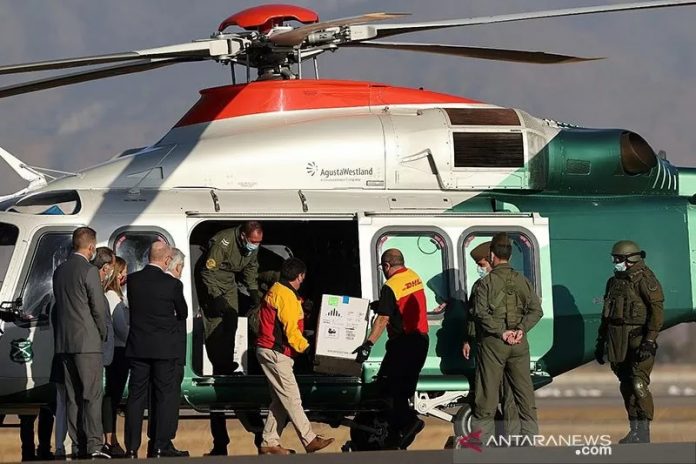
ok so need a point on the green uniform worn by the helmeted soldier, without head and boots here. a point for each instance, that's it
(633, 310)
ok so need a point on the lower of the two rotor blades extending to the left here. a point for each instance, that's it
(90, 75)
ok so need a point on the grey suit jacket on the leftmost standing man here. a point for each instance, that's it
(80, 307)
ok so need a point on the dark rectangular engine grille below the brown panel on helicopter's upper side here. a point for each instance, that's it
(488, 150)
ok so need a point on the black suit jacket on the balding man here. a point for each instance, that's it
(157, 307)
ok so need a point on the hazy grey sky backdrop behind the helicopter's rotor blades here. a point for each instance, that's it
(646, 84)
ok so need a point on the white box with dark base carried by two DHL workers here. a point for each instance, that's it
(342, 328)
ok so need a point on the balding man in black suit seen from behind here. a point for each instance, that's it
(157, 306)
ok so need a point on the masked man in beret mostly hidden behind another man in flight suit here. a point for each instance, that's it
(511, 418)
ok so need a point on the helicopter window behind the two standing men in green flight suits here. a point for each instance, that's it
(523, 257)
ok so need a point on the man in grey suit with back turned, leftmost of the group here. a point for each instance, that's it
(79, 333)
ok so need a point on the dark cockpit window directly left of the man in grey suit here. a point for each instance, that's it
(51, 251)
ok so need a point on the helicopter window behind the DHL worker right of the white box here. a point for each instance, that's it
(426, 253)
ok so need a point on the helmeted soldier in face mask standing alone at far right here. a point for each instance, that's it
(631, 319)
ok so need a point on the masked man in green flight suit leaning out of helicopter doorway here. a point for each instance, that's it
(232, 253)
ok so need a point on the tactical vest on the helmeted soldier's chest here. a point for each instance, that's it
(623, 304)
